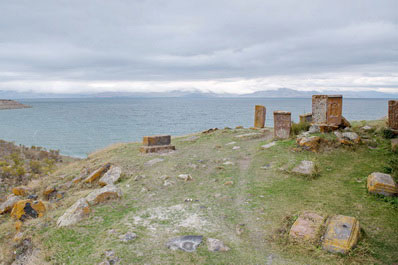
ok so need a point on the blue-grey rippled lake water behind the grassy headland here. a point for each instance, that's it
(78, 127)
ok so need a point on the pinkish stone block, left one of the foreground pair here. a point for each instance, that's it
(307, 227)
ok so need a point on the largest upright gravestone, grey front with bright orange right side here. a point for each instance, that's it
(327, 110)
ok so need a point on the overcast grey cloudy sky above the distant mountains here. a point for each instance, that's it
(80, 46)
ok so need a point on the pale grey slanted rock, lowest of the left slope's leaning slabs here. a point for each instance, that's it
(74, 214)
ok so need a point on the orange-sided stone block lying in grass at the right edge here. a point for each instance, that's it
(380, 183)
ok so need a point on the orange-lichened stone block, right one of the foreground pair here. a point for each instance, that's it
(342, 234)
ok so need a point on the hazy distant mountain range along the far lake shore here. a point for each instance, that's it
(279, 93)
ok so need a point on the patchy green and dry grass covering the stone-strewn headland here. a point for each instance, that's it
(266, 201)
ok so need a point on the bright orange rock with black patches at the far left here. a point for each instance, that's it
(28, 209)
